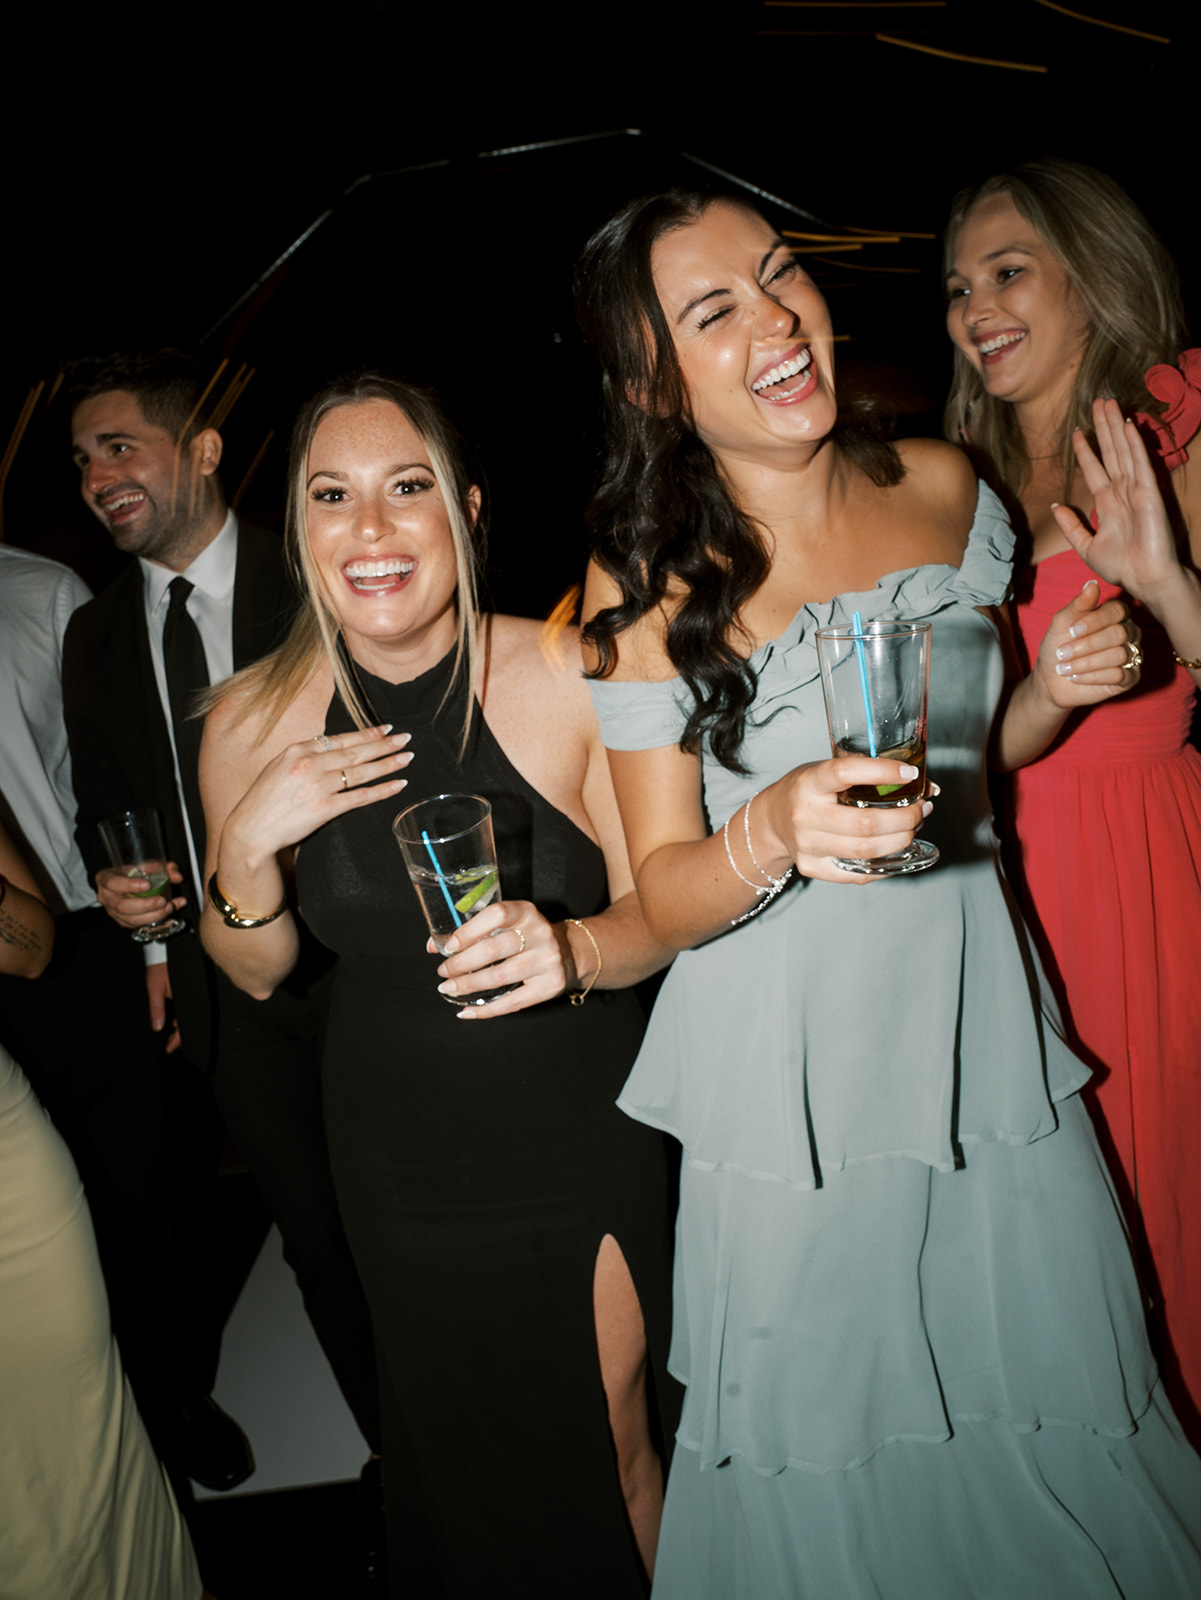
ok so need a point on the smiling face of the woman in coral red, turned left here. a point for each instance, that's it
(1011, 308)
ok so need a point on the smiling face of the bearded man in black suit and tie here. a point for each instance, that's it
(158, 500)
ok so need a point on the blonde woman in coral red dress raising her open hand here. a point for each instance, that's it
(1059, 292)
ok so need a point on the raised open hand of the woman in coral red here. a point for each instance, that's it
(1133, 545)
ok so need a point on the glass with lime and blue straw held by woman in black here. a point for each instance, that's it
(452, 862)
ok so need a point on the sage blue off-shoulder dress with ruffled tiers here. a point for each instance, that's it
(904, 1305)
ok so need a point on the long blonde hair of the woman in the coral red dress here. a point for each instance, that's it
(1127, 282)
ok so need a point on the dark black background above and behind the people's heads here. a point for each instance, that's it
(300, 193)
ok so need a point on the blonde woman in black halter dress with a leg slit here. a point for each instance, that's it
(508, 1222)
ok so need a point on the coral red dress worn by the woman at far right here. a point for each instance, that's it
(1109, 826)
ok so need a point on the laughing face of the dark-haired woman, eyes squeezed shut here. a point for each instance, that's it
(752, 337)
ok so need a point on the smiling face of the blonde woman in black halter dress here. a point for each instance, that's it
(380, 538)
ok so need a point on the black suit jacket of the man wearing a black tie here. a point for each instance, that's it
(121, 748)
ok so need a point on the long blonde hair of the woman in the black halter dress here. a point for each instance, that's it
(271, 686)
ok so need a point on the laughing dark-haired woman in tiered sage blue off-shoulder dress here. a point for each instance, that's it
(914, 1343)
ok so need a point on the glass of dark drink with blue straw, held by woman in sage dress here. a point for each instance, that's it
(876, 679)
